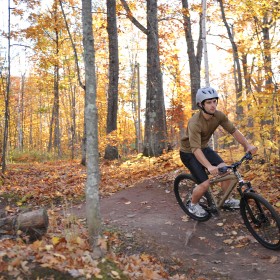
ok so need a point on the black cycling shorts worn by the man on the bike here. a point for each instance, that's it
(196, 168)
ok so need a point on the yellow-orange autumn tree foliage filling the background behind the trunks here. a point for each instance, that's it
(50, 108)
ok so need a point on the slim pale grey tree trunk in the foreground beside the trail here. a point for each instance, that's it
(93, 173)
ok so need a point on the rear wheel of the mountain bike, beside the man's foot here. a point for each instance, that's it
(183, 187)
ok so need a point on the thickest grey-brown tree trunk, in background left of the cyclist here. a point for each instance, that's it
(155, 139)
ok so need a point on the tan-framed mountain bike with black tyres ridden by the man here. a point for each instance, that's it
(259, 216)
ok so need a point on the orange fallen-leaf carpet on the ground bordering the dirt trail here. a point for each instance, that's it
(65, 248)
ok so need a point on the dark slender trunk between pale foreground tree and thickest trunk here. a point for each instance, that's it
(111, 151)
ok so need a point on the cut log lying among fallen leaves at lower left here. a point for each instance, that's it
(33, 224)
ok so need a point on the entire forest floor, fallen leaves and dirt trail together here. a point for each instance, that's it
(150, 235)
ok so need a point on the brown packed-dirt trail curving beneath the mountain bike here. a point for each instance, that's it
(217, 249)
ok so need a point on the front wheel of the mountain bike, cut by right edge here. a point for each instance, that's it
(261, 220)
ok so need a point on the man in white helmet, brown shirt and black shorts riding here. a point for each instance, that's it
(195, 152)
